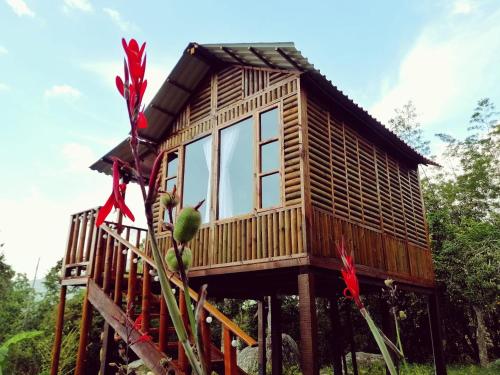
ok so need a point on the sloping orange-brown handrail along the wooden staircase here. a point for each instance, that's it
(224, 320)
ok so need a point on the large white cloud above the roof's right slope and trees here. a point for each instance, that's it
(446, 71)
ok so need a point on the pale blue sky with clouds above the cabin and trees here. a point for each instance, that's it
(60, 110)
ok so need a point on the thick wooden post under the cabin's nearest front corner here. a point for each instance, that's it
(308, 324)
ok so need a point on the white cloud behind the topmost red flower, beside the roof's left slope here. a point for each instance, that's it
(108, 70)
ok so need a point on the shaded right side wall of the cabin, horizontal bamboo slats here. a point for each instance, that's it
(360, 192)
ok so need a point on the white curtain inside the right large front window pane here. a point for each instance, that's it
(229, 138)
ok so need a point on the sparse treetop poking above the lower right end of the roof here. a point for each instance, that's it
(406, 125)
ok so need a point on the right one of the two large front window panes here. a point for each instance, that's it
(236, 169)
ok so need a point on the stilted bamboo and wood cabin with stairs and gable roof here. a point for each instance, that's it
(288, 167)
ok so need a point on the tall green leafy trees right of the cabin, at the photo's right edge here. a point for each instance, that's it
(463, 214)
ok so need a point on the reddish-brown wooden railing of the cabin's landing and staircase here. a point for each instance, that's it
(116, 258)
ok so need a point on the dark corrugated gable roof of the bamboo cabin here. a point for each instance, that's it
(199, 59)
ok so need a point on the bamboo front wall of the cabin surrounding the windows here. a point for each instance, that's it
(226, 97)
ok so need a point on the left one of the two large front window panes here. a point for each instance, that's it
(197, 172)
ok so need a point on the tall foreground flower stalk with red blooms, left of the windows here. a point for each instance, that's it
(132, 89)
